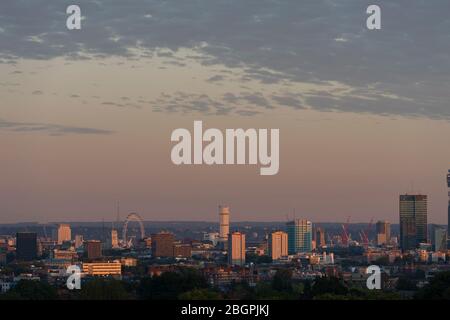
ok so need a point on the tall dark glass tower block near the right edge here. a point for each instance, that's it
(413, 221)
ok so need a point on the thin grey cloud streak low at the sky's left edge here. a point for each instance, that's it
(50, 129)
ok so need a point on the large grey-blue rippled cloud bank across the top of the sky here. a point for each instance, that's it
(273, 42)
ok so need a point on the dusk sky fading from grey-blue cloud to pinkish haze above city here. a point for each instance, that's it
(86, 115)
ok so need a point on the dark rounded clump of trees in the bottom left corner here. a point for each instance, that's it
(31, 290)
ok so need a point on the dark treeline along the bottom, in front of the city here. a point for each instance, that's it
(189, 284)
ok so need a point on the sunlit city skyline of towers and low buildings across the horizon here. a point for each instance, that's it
(300, 252)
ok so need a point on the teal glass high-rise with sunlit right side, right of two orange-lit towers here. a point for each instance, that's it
(299, 236)
